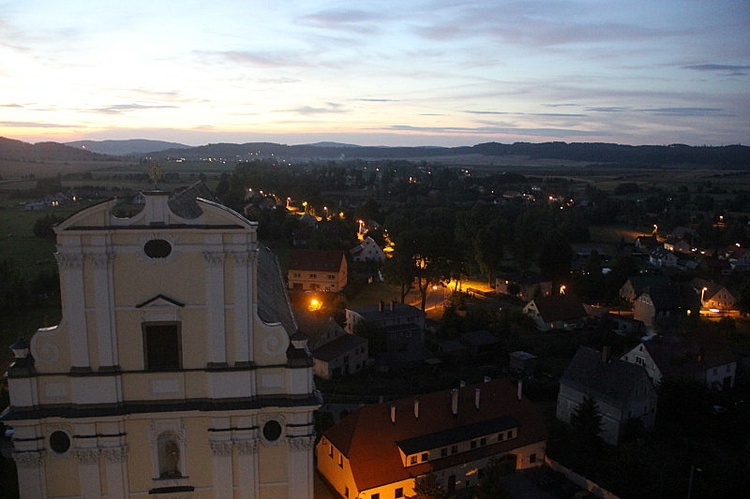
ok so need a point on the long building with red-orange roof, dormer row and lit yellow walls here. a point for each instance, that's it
(379, 450)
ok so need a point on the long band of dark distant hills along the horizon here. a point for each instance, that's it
(733, 156)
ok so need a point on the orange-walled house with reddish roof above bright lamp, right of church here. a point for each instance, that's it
(317, 270)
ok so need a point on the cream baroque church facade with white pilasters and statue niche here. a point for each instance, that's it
(175, 370)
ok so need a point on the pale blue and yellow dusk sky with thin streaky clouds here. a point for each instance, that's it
(422, 72)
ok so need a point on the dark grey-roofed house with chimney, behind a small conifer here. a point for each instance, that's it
(622, 391)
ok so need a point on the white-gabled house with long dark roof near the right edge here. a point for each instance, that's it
(706, 358)
